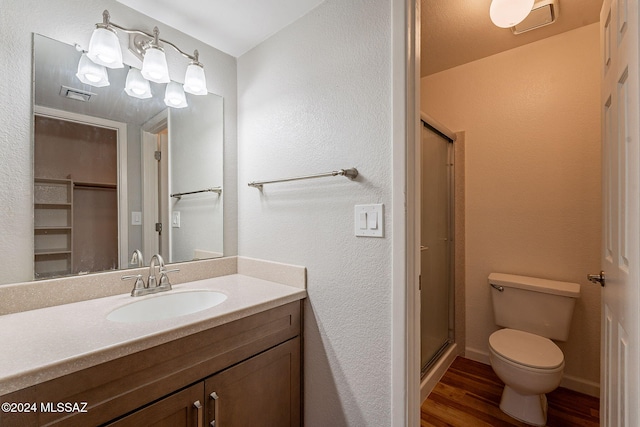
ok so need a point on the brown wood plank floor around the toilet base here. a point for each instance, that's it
(469, 395)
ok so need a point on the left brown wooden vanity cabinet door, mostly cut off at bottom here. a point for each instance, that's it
(181, 409)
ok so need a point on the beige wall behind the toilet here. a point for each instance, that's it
(532, 122)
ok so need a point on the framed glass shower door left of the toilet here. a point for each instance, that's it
(436, 250)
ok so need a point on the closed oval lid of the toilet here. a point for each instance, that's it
(526, 349)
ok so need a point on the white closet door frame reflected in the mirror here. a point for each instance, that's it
(122, 167)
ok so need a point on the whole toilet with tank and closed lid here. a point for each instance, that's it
(532, 312)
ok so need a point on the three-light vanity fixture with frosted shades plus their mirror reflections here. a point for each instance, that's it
(105, 51)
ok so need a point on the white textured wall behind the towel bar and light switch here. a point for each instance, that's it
(316, 97)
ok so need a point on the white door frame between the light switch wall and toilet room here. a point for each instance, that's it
(405, 224)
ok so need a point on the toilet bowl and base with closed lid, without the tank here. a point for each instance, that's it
(530, 366)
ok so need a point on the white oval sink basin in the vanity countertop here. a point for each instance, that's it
(166, 305)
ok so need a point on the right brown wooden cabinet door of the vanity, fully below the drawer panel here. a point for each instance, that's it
(261, 391)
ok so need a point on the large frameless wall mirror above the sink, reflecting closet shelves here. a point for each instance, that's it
(115, 174)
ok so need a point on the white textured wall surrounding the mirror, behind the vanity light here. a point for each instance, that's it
(73, 21)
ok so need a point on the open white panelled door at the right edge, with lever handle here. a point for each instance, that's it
(620, 256)
